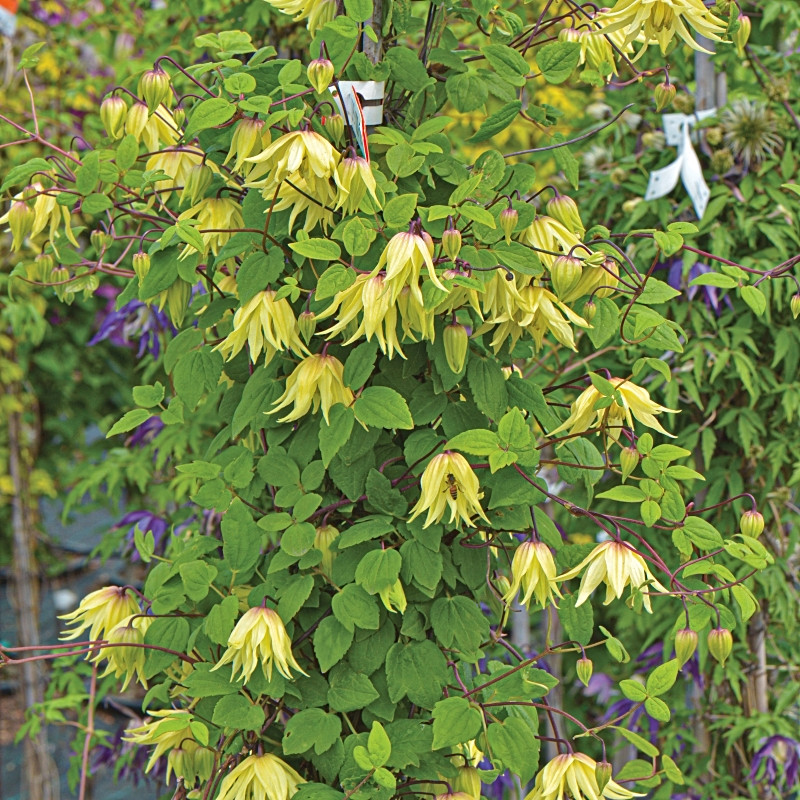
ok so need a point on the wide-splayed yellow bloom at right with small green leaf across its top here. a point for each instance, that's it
(630, 401)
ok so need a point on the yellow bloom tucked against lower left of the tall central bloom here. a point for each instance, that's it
(369, 297)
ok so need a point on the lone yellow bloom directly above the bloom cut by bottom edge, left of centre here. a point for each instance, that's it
(259, 636)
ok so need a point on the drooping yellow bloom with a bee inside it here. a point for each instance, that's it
(449, 482)
